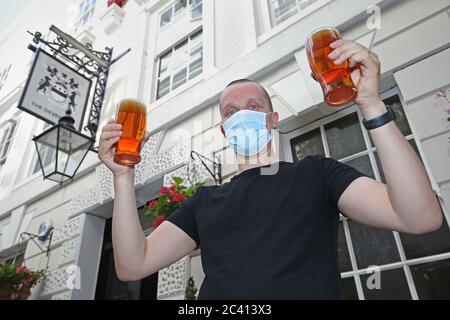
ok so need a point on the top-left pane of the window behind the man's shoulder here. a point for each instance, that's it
(307, 144)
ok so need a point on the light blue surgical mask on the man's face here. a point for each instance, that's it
(247, 133)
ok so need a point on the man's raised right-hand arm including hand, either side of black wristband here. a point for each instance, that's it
(406, 202)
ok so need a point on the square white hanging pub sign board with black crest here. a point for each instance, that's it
(53, 88)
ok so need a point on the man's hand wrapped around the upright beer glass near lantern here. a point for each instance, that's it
(111, 133)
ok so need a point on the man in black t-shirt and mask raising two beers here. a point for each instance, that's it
(275, 236)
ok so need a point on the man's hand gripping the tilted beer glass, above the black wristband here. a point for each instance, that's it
(365, 71)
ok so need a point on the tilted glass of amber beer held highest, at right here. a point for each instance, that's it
(337, 85)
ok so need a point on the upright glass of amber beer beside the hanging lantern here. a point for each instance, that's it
(132, 115)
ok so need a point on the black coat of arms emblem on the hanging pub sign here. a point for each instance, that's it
(59, 87)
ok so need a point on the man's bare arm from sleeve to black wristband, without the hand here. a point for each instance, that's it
(406, 202)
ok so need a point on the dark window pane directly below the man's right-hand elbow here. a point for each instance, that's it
(436, 242)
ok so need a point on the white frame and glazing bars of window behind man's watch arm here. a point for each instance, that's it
(404, 262)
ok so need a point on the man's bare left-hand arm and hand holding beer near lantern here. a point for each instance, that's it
(135, 255)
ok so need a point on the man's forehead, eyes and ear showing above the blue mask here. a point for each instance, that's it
(246, 96)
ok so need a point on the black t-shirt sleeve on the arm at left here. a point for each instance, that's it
(184, 218)
